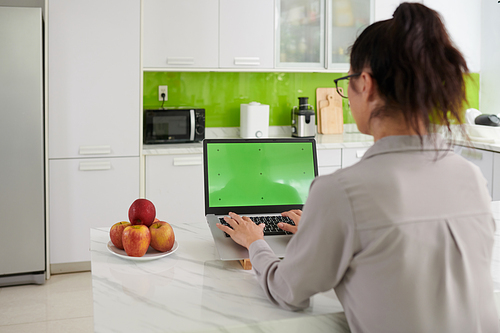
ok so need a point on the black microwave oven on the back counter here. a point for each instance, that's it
(174, 125)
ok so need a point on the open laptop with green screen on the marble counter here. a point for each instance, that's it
(255, 178)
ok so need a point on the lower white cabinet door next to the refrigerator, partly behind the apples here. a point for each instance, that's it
(87, 193)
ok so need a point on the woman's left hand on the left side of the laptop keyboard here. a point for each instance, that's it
(244, 231)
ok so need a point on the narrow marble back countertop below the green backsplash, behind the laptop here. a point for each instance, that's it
(331, 141)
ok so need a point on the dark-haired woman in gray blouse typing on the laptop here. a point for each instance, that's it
(405, 236)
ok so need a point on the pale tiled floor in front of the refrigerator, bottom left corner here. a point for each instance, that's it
(62, 304)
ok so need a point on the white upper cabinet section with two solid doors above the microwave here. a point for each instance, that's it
(208, 34)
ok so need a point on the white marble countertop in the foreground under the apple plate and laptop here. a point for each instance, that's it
(191, 291)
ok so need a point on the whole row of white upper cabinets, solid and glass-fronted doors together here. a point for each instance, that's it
(252, 34)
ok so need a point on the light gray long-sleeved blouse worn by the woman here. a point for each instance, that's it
(404, 236)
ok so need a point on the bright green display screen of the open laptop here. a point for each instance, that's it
(259, 173)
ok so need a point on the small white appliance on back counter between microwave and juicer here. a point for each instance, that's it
(254, 120)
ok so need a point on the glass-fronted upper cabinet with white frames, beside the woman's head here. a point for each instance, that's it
(308, 28)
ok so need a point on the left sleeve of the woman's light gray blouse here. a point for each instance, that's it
(317, 256)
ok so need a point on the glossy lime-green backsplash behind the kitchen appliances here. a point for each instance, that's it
(221, 93)
